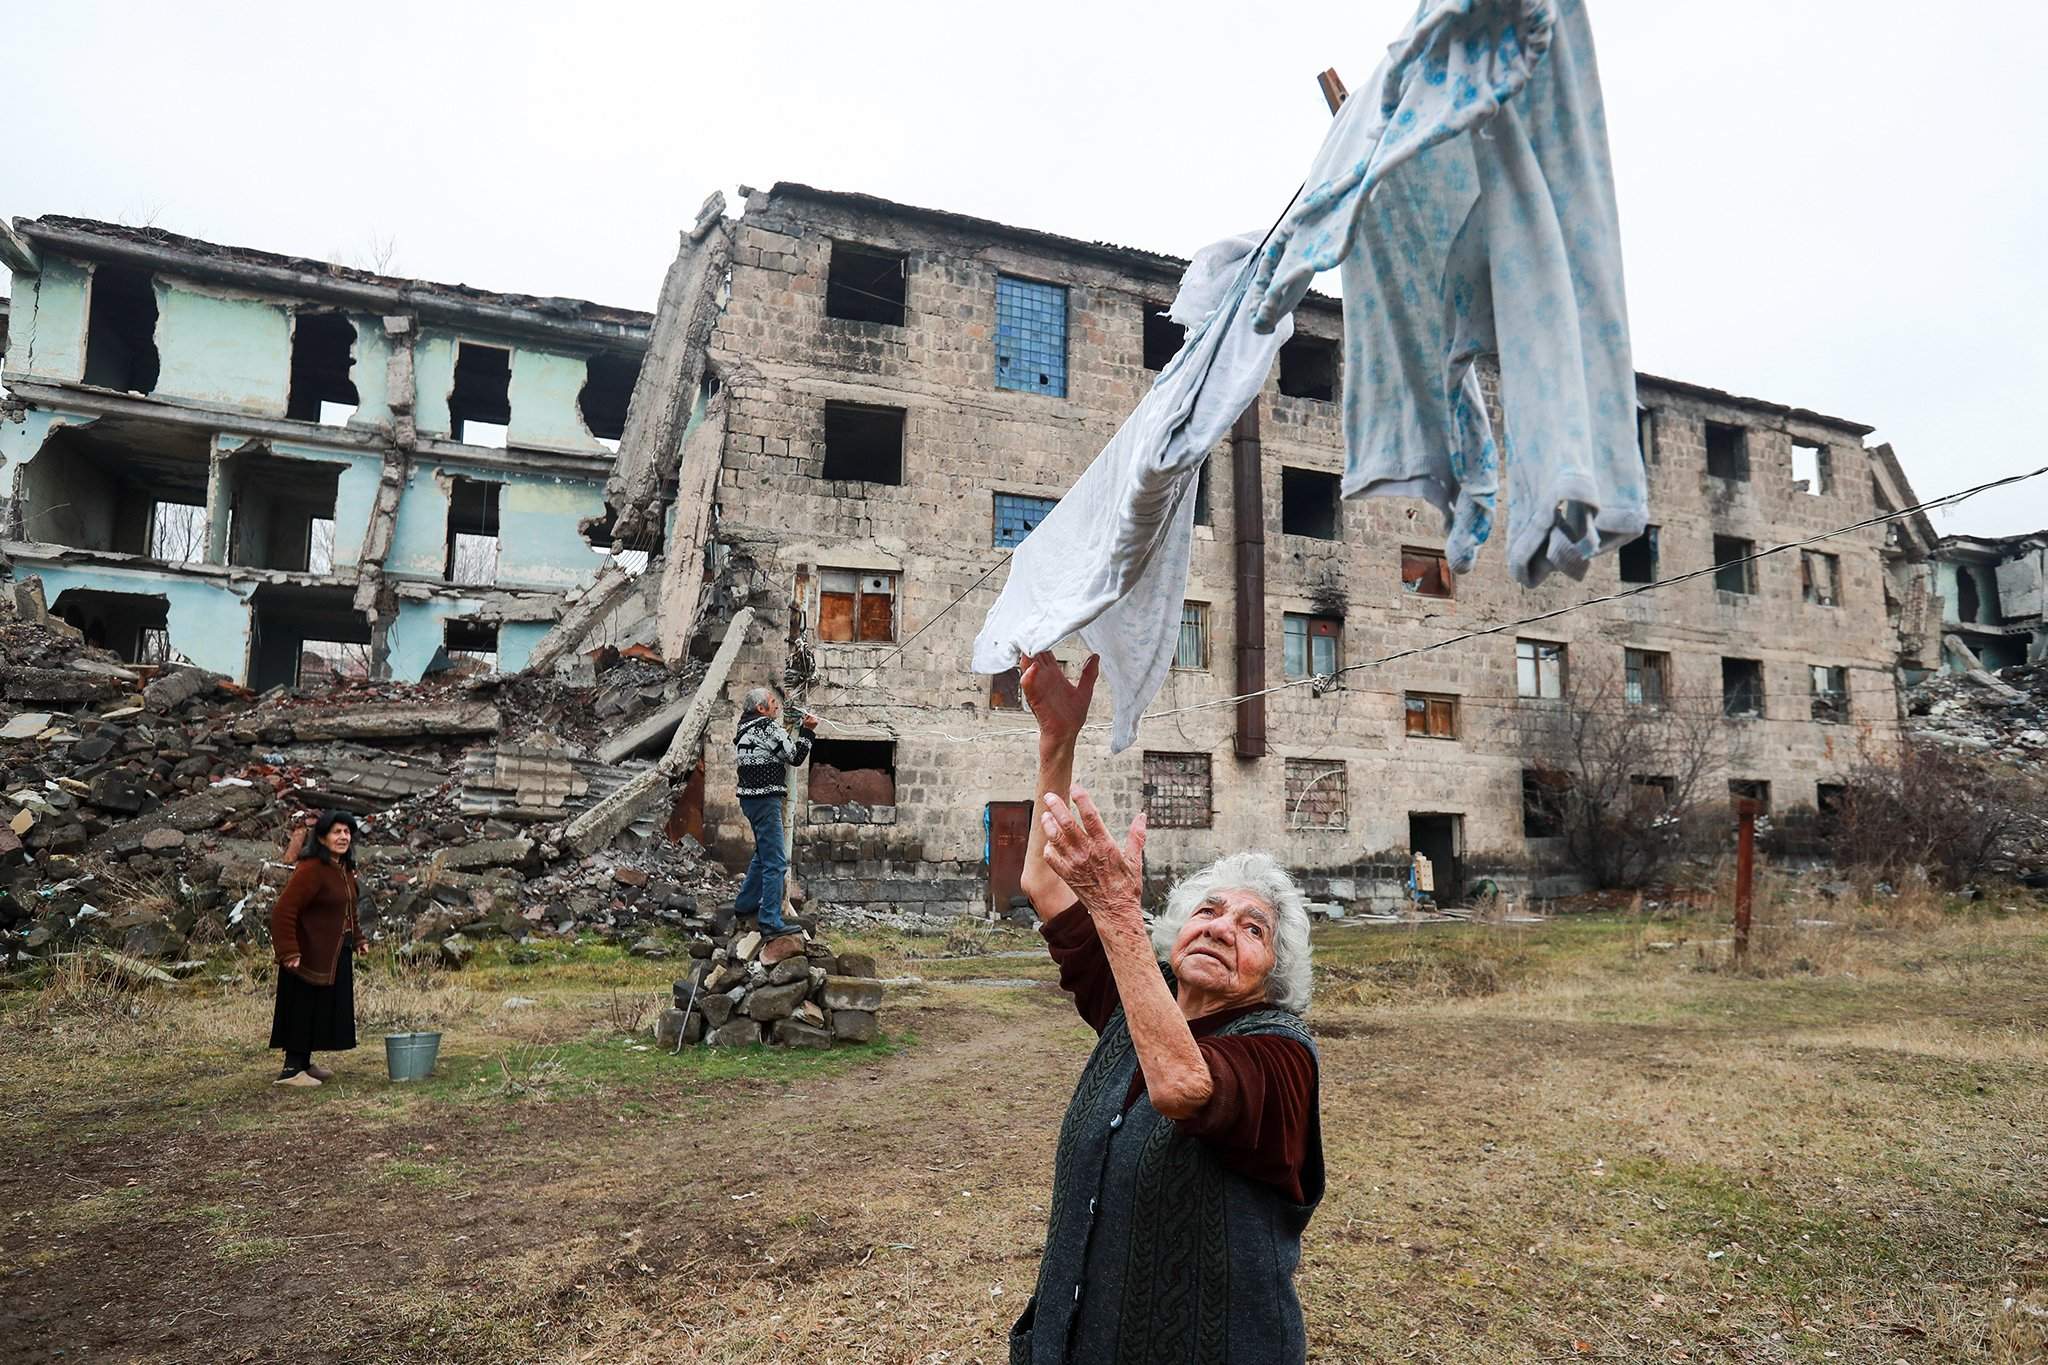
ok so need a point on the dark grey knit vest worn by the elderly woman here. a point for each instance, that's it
(1154, 1249)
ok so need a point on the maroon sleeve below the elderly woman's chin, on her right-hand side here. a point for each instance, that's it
(1261, 1106)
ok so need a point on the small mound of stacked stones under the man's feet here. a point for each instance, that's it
(730, 998)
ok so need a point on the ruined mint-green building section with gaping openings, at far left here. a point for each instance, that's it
(267, 464)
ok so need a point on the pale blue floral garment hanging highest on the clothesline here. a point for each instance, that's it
(1467, 197)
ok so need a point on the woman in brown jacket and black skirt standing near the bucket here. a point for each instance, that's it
(314, 934)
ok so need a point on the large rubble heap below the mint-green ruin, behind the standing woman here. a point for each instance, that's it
(146, 809)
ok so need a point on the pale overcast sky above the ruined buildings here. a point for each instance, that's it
(1828, 204)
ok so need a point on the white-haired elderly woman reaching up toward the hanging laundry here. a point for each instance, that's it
(1193, 1151)
